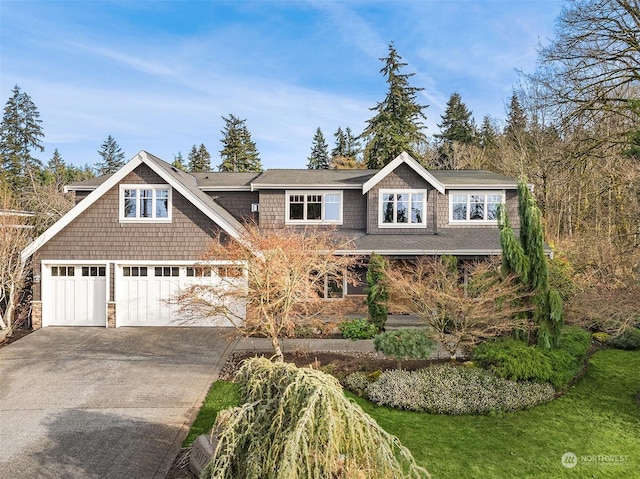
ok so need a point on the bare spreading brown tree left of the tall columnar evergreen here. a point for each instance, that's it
(458, 313)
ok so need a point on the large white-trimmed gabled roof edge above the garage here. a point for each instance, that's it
(182, 182)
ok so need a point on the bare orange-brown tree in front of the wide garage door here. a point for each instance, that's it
(287, 272)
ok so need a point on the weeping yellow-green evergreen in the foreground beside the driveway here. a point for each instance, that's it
(297, 424)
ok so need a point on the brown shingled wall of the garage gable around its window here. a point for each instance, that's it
(98, 235)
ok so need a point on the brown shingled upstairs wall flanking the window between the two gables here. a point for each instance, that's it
(273, 209)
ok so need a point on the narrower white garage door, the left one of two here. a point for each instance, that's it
(74, 295)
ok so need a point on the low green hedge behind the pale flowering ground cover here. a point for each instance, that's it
(515, 360)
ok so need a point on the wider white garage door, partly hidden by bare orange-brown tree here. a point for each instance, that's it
(145, 295)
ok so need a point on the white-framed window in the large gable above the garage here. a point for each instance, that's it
(145, 203)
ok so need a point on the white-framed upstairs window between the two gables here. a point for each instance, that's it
(314, 207)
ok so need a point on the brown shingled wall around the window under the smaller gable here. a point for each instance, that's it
(402, 177)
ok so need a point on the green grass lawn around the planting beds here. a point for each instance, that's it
(598, 416)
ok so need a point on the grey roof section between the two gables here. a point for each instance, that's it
(317, 179)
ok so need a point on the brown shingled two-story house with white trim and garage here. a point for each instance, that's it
(134, 238)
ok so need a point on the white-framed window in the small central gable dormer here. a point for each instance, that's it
(402, 208)
